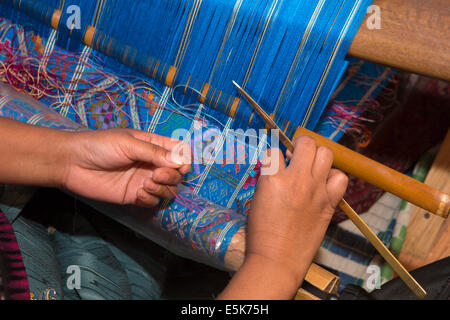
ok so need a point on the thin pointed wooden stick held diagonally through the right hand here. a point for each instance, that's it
(353, 216)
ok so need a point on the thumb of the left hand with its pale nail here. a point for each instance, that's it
(142, 151)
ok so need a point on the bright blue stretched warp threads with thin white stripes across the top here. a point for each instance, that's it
(289, 54)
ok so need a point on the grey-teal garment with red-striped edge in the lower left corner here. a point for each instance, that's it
(48, 255)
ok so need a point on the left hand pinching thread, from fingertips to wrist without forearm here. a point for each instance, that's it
(125, 166)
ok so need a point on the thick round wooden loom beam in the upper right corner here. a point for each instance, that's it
(414, 37)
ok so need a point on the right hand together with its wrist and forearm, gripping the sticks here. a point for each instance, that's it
(288, 218)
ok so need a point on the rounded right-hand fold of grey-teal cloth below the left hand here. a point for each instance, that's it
(106, 273)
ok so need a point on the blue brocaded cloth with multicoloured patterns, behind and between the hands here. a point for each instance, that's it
(227, 184)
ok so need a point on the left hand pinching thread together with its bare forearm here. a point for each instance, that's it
(119, 166)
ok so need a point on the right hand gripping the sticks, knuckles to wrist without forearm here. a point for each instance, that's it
(292, 209)
